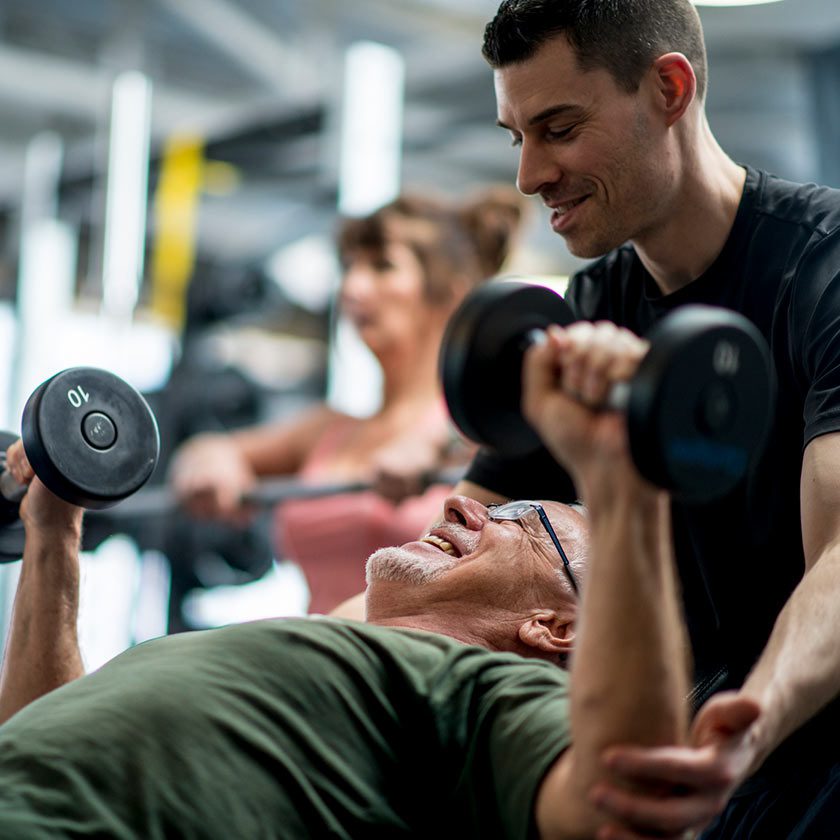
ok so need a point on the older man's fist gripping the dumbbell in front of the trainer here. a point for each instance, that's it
(566, 381)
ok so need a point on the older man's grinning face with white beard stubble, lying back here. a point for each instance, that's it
(473, 564)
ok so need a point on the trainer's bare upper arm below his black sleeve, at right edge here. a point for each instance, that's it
(820, 496)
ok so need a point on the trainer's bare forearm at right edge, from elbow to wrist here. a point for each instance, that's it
(799, 670)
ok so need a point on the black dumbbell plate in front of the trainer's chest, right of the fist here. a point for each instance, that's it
(701, 402)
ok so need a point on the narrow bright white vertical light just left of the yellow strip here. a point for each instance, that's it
(126, 200)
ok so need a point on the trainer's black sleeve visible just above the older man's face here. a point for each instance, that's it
(533, 476)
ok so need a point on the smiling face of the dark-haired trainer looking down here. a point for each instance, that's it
(589, 149)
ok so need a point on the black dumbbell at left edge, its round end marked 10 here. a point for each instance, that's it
(91, 439)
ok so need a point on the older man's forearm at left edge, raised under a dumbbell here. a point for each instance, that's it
(42, 649)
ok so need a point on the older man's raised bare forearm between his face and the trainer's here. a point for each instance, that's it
(630, 669)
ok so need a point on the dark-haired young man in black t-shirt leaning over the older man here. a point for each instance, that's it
(606, 103)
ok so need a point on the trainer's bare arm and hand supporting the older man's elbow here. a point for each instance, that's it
(796, 675)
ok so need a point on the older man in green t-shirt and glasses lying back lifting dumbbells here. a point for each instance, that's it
(447, 712)
